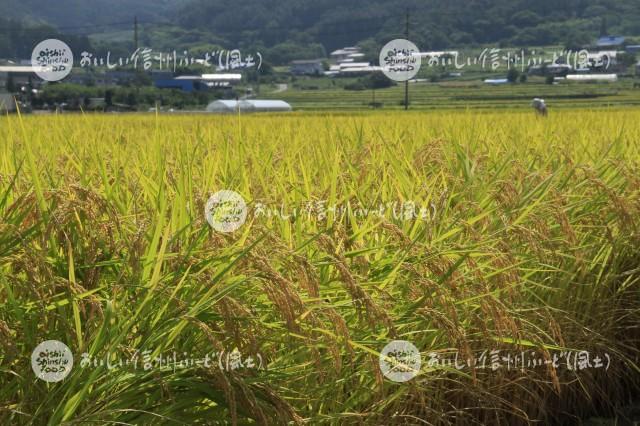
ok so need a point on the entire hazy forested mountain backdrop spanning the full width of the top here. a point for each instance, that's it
(304, 29)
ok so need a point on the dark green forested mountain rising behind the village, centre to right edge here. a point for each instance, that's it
(434, 24)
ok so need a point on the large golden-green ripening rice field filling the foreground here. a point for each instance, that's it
(503, 246)
